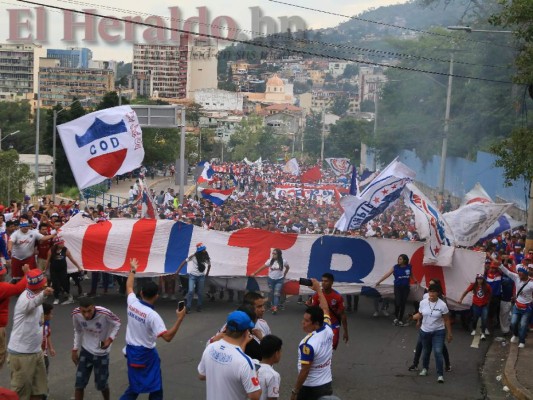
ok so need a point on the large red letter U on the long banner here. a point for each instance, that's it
(95, 240)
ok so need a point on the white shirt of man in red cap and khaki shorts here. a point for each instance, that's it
(28, 320)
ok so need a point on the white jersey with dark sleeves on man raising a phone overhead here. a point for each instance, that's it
(317, 349)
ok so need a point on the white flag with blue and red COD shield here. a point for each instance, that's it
(102, 144)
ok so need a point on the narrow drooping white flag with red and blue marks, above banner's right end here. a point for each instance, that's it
(430, 225)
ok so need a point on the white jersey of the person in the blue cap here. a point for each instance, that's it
(230, 374)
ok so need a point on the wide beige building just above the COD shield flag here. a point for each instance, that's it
(62, 85)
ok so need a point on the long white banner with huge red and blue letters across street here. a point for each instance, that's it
(161, 245)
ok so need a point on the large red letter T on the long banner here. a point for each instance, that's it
(260, 243)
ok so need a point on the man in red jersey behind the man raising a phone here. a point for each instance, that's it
(336, 308)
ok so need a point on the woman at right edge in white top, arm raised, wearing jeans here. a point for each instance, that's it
(523, 306)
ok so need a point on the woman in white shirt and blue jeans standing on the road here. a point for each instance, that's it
(436, 326)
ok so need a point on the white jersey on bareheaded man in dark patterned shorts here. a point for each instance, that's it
(89, 333)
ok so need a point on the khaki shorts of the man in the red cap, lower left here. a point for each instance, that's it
(28, 374)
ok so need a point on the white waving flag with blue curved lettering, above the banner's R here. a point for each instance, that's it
(376, 197)
